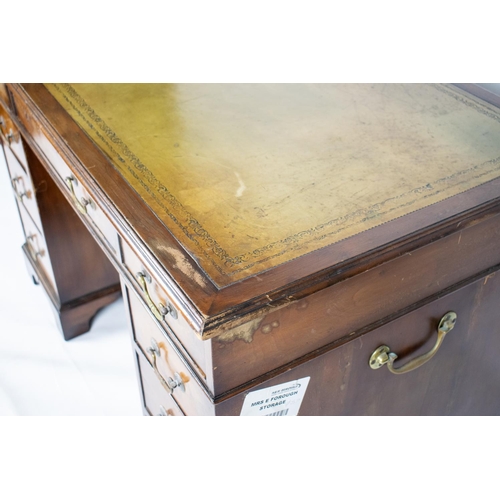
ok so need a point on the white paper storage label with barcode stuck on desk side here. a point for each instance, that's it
(282, 400)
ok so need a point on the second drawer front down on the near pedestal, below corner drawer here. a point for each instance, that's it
(171, 369)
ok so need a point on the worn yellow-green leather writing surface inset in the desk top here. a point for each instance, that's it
(249, 176)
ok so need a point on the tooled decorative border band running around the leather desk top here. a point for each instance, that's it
(288, 243)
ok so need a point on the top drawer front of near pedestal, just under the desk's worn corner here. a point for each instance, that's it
(196, 350)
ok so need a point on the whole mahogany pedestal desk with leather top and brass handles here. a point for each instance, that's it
(281, 249)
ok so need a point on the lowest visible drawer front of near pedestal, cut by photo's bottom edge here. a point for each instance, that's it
(156, 400)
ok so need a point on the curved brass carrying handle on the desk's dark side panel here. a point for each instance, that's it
(383, 355)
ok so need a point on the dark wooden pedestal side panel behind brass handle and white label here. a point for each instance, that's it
(462, 378)
